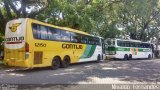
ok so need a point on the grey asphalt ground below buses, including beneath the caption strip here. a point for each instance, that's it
(83, 76)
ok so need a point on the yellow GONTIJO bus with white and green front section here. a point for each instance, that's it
(31, 43)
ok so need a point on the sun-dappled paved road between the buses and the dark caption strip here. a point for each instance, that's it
(112, 72)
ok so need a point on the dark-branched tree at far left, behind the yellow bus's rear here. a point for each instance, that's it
(11, 9)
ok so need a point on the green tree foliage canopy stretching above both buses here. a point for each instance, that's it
(139, 19)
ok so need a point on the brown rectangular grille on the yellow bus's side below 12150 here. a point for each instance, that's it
(38, 57)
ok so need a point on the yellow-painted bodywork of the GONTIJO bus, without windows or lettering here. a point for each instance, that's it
(52, 49)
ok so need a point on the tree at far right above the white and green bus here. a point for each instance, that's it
(138, 17)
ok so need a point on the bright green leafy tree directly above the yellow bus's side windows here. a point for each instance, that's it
(92, 16)
